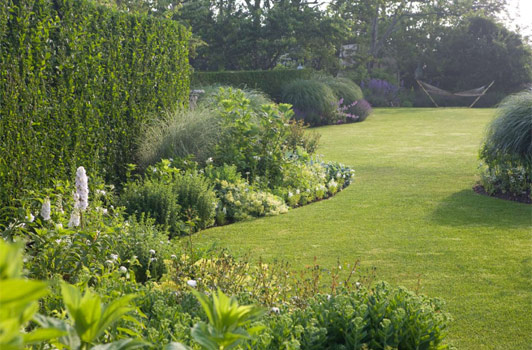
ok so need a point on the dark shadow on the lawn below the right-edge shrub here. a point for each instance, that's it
(467, 208)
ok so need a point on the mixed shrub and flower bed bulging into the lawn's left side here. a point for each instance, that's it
(256, 160)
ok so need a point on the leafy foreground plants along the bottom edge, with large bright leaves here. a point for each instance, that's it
(130, 315)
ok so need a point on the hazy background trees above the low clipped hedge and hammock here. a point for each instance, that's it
(458, 44)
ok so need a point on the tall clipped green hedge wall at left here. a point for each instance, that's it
(76, 79)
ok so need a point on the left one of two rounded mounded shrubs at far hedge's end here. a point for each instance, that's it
(312, 101)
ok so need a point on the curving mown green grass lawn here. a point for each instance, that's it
(411, 213)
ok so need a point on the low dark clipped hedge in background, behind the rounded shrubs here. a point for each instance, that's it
(268, 81)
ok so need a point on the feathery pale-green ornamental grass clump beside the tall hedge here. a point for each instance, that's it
(179, 134)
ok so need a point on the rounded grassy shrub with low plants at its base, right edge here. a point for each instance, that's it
(507, 148)
